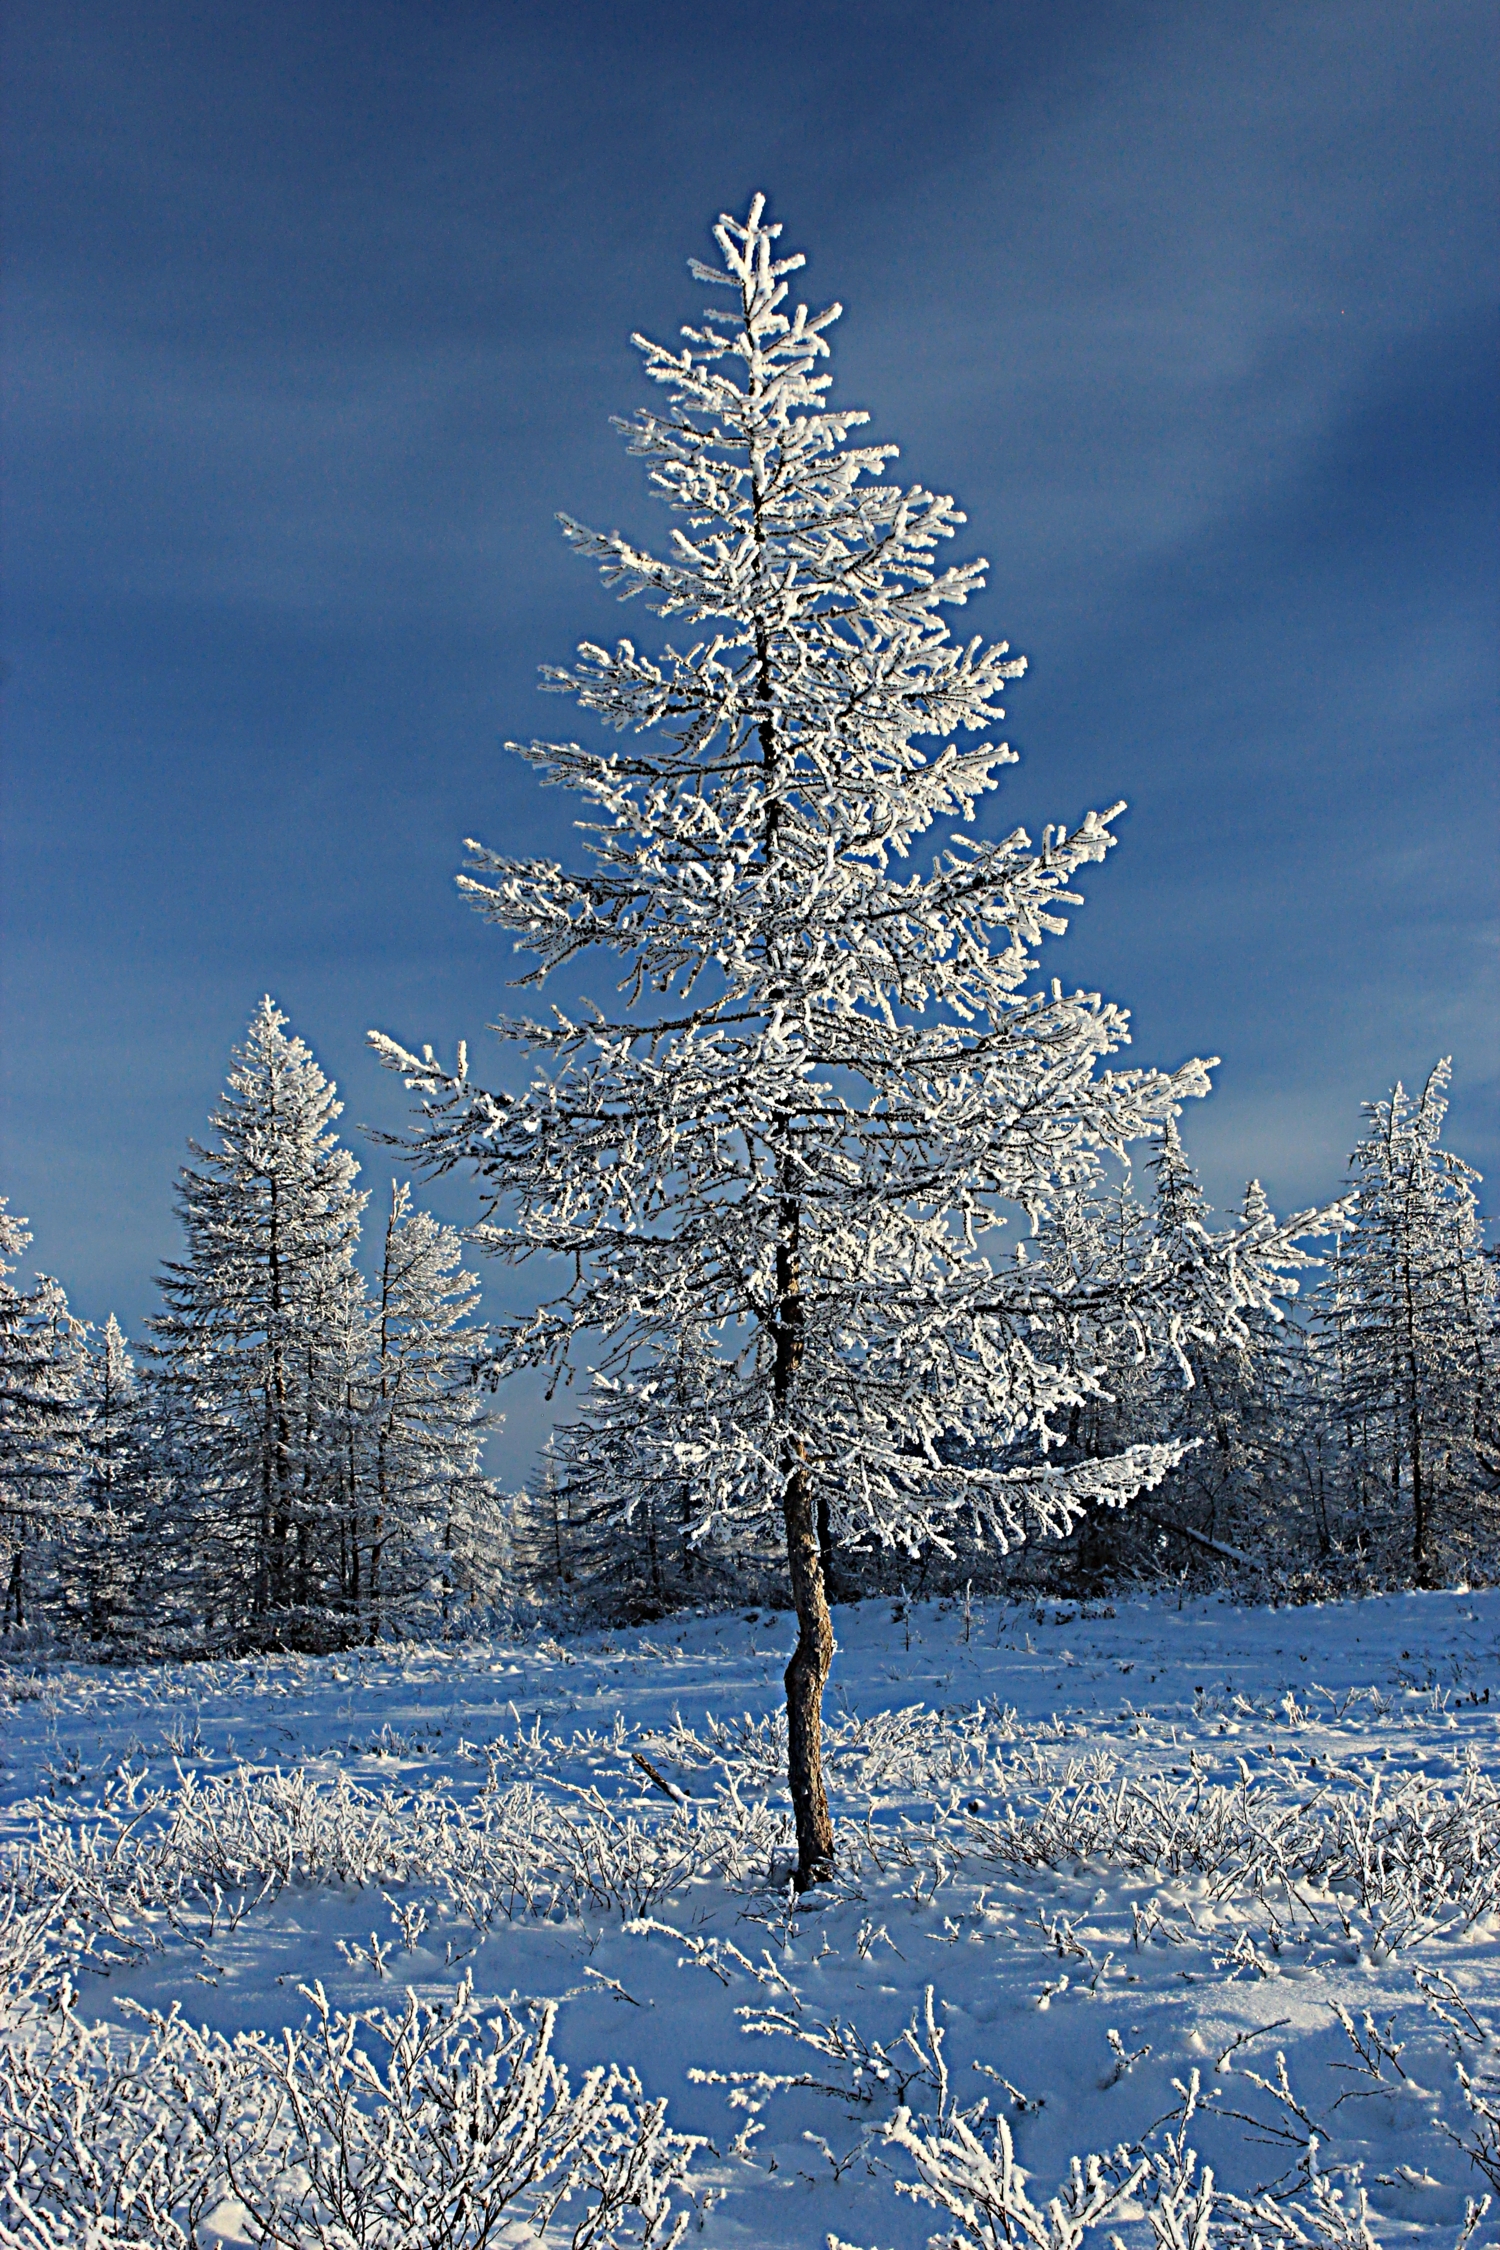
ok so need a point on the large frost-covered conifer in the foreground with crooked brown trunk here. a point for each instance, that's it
(833, 1079)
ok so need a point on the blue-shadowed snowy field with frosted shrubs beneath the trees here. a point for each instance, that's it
(1114, 1848)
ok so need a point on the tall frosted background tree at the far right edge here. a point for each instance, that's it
(1409, 1326)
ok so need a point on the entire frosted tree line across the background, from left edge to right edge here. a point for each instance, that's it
(296, 1455)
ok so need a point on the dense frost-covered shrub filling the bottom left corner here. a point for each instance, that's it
(354, 2134)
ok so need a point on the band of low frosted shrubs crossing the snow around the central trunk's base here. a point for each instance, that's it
(1404, 1857)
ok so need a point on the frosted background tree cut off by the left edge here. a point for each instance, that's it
(39, 1421)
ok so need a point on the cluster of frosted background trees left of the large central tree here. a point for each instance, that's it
(296, 1455)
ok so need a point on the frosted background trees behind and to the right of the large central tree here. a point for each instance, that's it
(1346, 1443)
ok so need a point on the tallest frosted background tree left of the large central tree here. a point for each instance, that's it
(253, 1342)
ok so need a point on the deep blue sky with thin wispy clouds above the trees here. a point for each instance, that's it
(318, 316)
